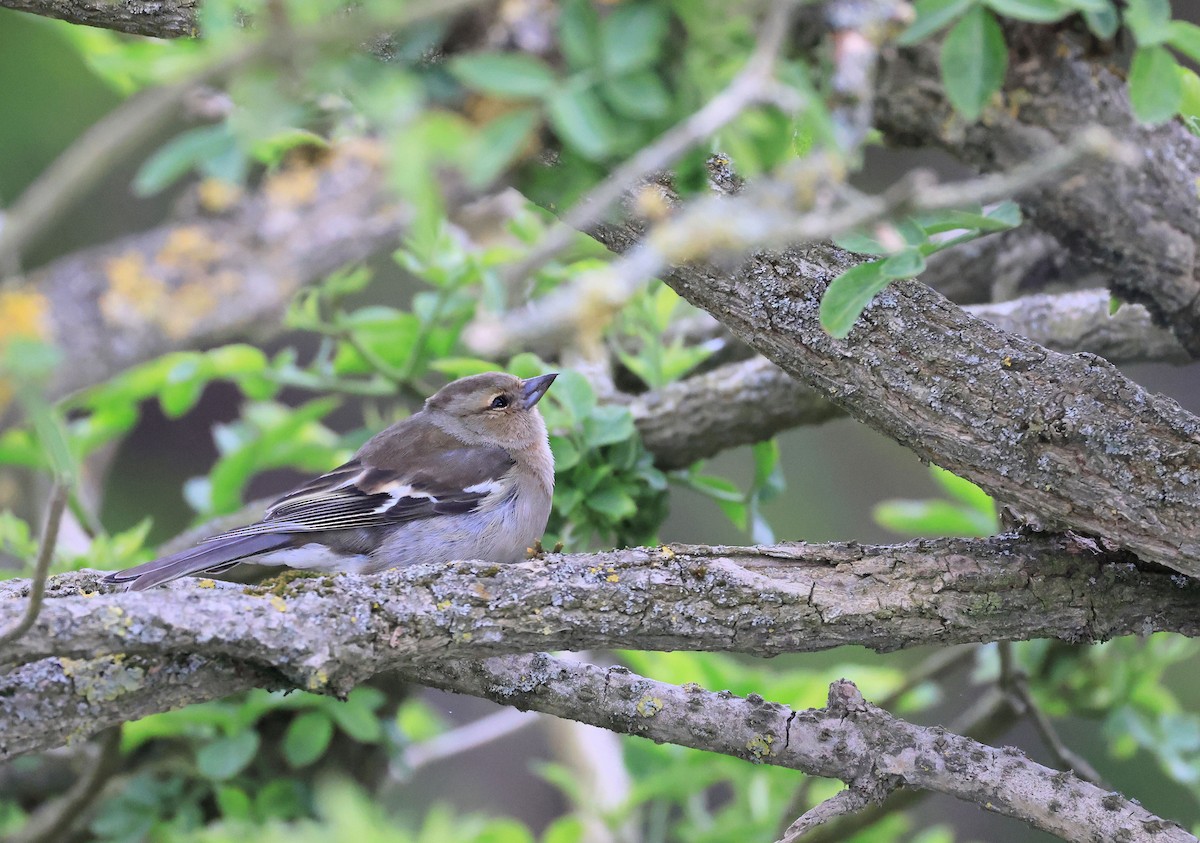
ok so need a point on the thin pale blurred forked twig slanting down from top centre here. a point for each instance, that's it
(753, 86)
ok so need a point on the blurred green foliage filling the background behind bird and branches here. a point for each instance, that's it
(197, 435)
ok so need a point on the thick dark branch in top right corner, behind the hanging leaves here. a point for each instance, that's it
(1135, 220)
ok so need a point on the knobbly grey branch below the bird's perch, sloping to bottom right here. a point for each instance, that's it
(851, 739)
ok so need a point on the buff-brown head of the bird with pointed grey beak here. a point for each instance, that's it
(494, 409)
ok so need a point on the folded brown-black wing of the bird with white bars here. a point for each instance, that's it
(429, 474)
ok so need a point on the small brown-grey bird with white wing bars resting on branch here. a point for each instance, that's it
(469, 477)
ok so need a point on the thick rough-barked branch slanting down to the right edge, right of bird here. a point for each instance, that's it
(1066, 441)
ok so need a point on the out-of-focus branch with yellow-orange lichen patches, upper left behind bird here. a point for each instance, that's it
(206, 279)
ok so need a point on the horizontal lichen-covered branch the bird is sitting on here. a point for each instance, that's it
(333, 633)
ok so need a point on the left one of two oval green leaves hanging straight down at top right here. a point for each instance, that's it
(974, 62)
